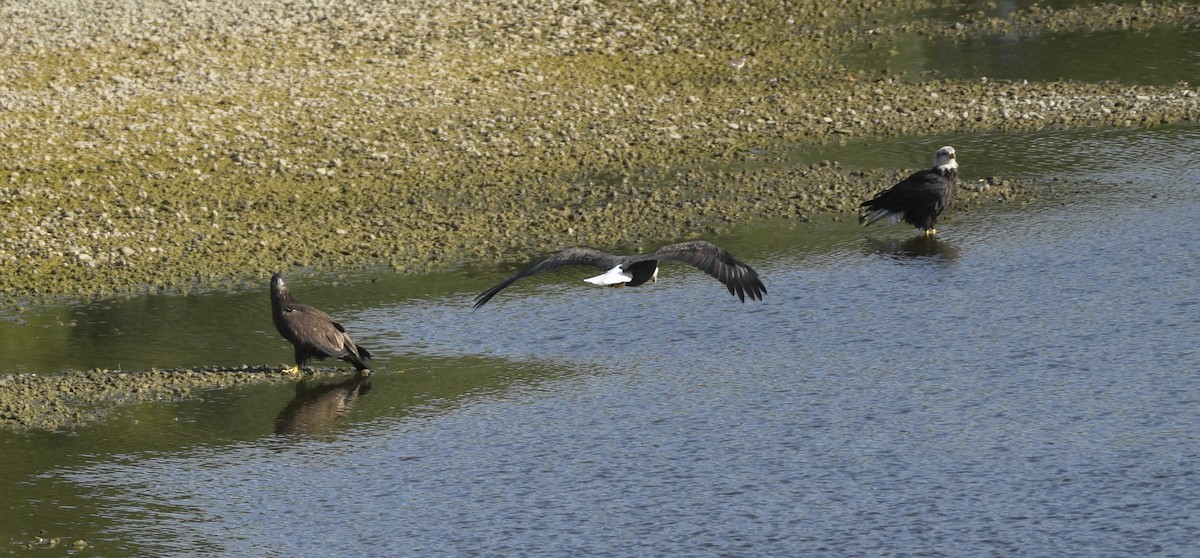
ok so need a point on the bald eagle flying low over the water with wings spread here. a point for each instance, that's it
(633, 271)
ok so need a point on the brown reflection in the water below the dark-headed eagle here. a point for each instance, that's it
(319, 406)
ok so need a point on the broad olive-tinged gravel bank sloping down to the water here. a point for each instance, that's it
(164, 146)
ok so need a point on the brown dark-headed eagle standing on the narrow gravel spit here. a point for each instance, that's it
(314, 334)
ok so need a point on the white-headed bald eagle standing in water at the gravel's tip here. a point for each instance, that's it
(921, 199)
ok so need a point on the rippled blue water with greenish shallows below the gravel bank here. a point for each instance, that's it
(1027, 385)
